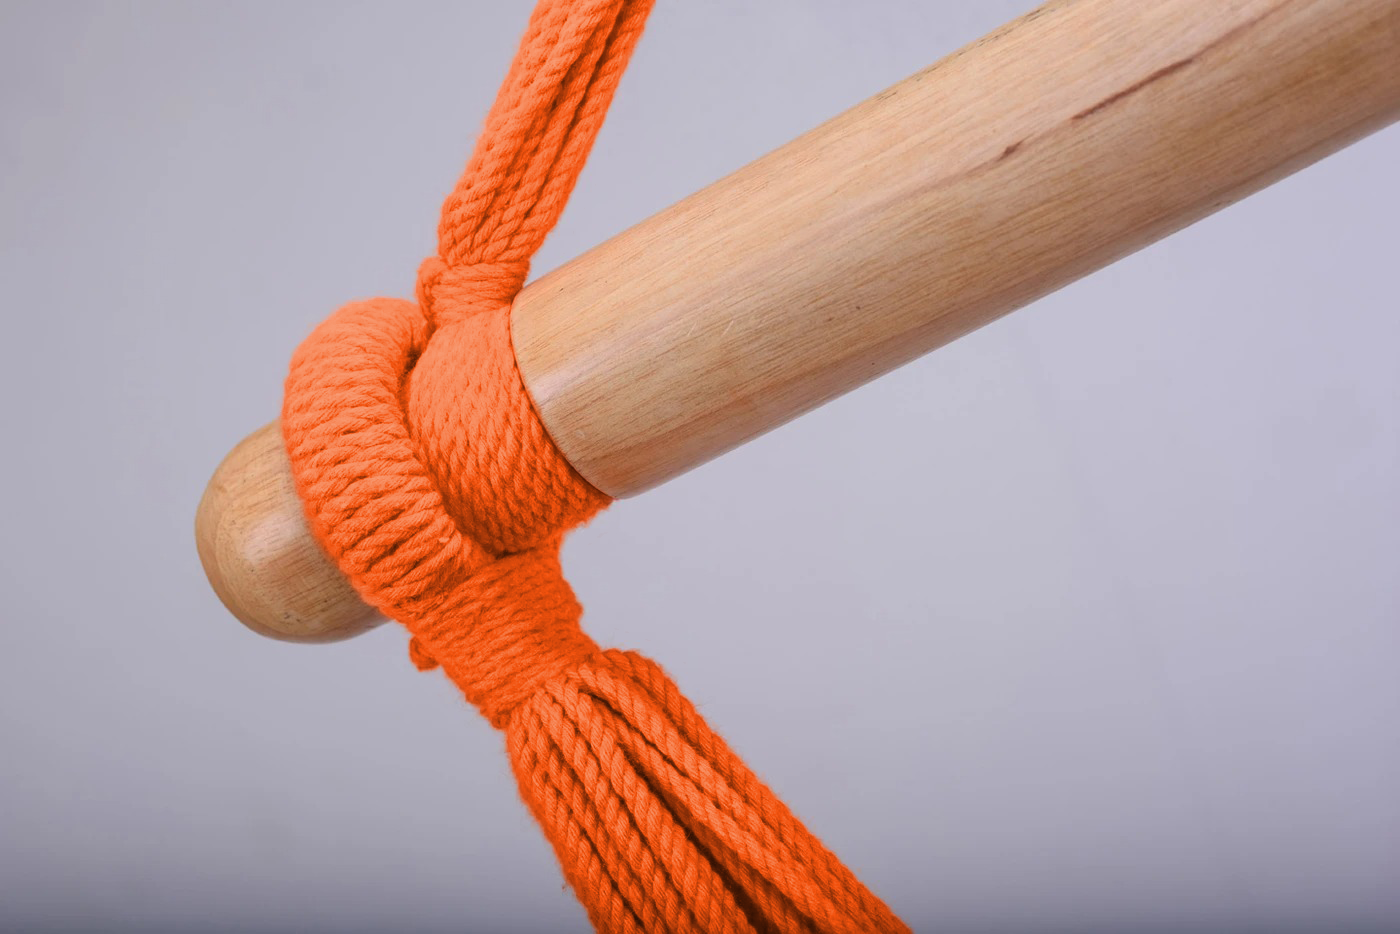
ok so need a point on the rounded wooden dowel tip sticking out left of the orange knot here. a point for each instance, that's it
(260, 554)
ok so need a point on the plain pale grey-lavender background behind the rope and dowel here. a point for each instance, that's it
(1086, 624)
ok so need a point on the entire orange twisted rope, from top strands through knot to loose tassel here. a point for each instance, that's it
(429, 478)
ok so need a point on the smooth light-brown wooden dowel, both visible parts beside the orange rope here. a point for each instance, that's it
(1070, 138)
